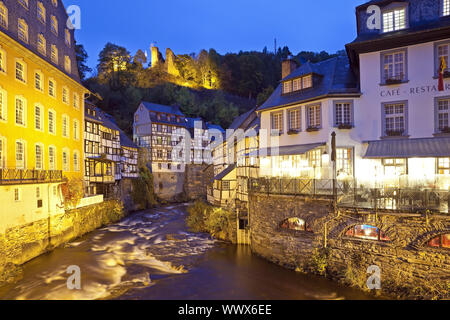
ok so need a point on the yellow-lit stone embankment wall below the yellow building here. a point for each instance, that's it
(23, 243)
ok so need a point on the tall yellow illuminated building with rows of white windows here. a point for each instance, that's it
(41, 109)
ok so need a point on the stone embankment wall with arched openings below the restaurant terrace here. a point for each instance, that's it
(409, 267)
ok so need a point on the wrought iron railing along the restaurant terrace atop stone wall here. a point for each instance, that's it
(349, 193)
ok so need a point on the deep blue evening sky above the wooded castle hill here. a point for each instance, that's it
(188, 26)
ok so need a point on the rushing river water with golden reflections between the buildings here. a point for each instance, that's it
(151, 255)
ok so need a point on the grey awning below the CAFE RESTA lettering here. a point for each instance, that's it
(409, 148)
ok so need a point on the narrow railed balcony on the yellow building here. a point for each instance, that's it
(18, 176)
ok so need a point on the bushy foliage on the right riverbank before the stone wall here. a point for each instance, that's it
(206, 218)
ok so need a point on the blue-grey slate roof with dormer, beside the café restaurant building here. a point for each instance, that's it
(336, 78)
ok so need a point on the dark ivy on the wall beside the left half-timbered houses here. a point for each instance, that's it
(143, 189)
